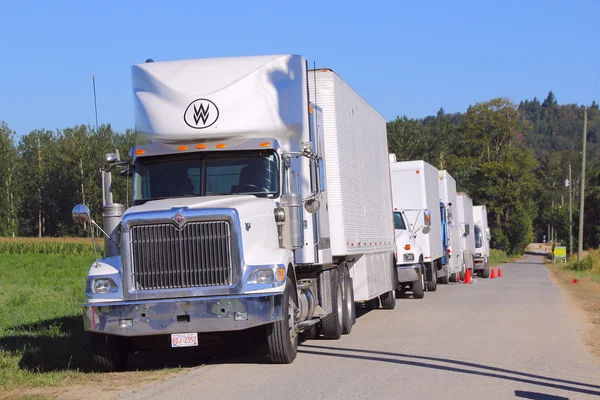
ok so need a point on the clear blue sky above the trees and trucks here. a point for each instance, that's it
(405, 58)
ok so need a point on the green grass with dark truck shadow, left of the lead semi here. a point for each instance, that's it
(41, 332)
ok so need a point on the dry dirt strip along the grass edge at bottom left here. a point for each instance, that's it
(98, 387)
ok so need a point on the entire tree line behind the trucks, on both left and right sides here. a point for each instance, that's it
(512, 157)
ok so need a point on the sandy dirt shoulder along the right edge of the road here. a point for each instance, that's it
(584, 300)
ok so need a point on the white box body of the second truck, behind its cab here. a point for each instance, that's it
(416, 193)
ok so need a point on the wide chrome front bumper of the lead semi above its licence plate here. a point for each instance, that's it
(185, 315)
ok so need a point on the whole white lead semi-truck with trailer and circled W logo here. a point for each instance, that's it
(252, 208)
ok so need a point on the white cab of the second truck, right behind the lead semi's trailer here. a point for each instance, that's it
(409, 257)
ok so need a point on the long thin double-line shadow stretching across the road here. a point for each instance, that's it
(498, 373)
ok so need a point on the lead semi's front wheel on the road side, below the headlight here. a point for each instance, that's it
(282, 336)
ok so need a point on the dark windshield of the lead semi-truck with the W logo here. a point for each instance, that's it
(206, 174)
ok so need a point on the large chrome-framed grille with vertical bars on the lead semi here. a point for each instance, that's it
(197, 255)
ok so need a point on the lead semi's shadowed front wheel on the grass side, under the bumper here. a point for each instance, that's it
(110, 353)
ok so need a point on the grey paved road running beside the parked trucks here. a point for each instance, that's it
(512, 337)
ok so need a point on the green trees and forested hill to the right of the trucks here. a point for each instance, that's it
(514, 158)
